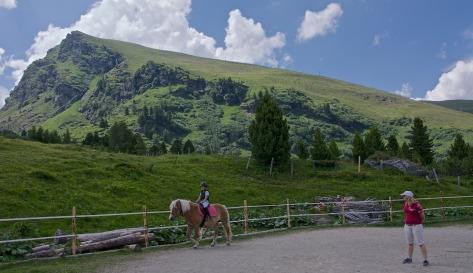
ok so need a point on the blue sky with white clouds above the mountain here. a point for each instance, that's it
(418, 49)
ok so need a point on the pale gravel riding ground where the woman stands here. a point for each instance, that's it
(367, 250)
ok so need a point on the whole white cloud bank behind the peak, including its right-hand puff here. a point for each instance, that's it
(160, 24)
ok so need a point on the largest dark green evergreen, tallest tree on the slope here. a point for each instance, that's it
(269, 133)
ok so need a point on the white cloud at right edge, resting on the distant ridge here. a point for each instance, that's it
(454, 84)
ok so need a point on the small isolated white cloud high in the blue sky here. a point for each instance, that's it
(319, 23)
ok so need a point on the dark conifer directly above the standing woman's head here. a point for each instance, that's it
(420, 142)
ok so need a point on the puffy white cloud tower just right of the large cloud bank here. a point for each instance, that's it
(246, 41)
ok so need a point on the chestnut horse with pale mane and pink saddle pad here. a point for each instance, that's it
(194, 217)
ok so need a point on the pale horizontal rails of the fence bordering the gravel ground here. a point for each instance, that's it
(286, 216)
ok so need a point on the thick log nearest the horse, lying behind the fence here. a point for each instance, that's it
(130, 239)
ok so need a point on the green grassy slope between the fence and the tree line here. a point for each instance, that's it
(41, 180)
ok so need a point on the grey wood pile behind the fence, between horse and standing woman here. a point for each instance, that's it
(360, 212)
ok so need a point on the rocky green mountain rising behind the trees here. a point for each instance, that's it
(167, 95)
